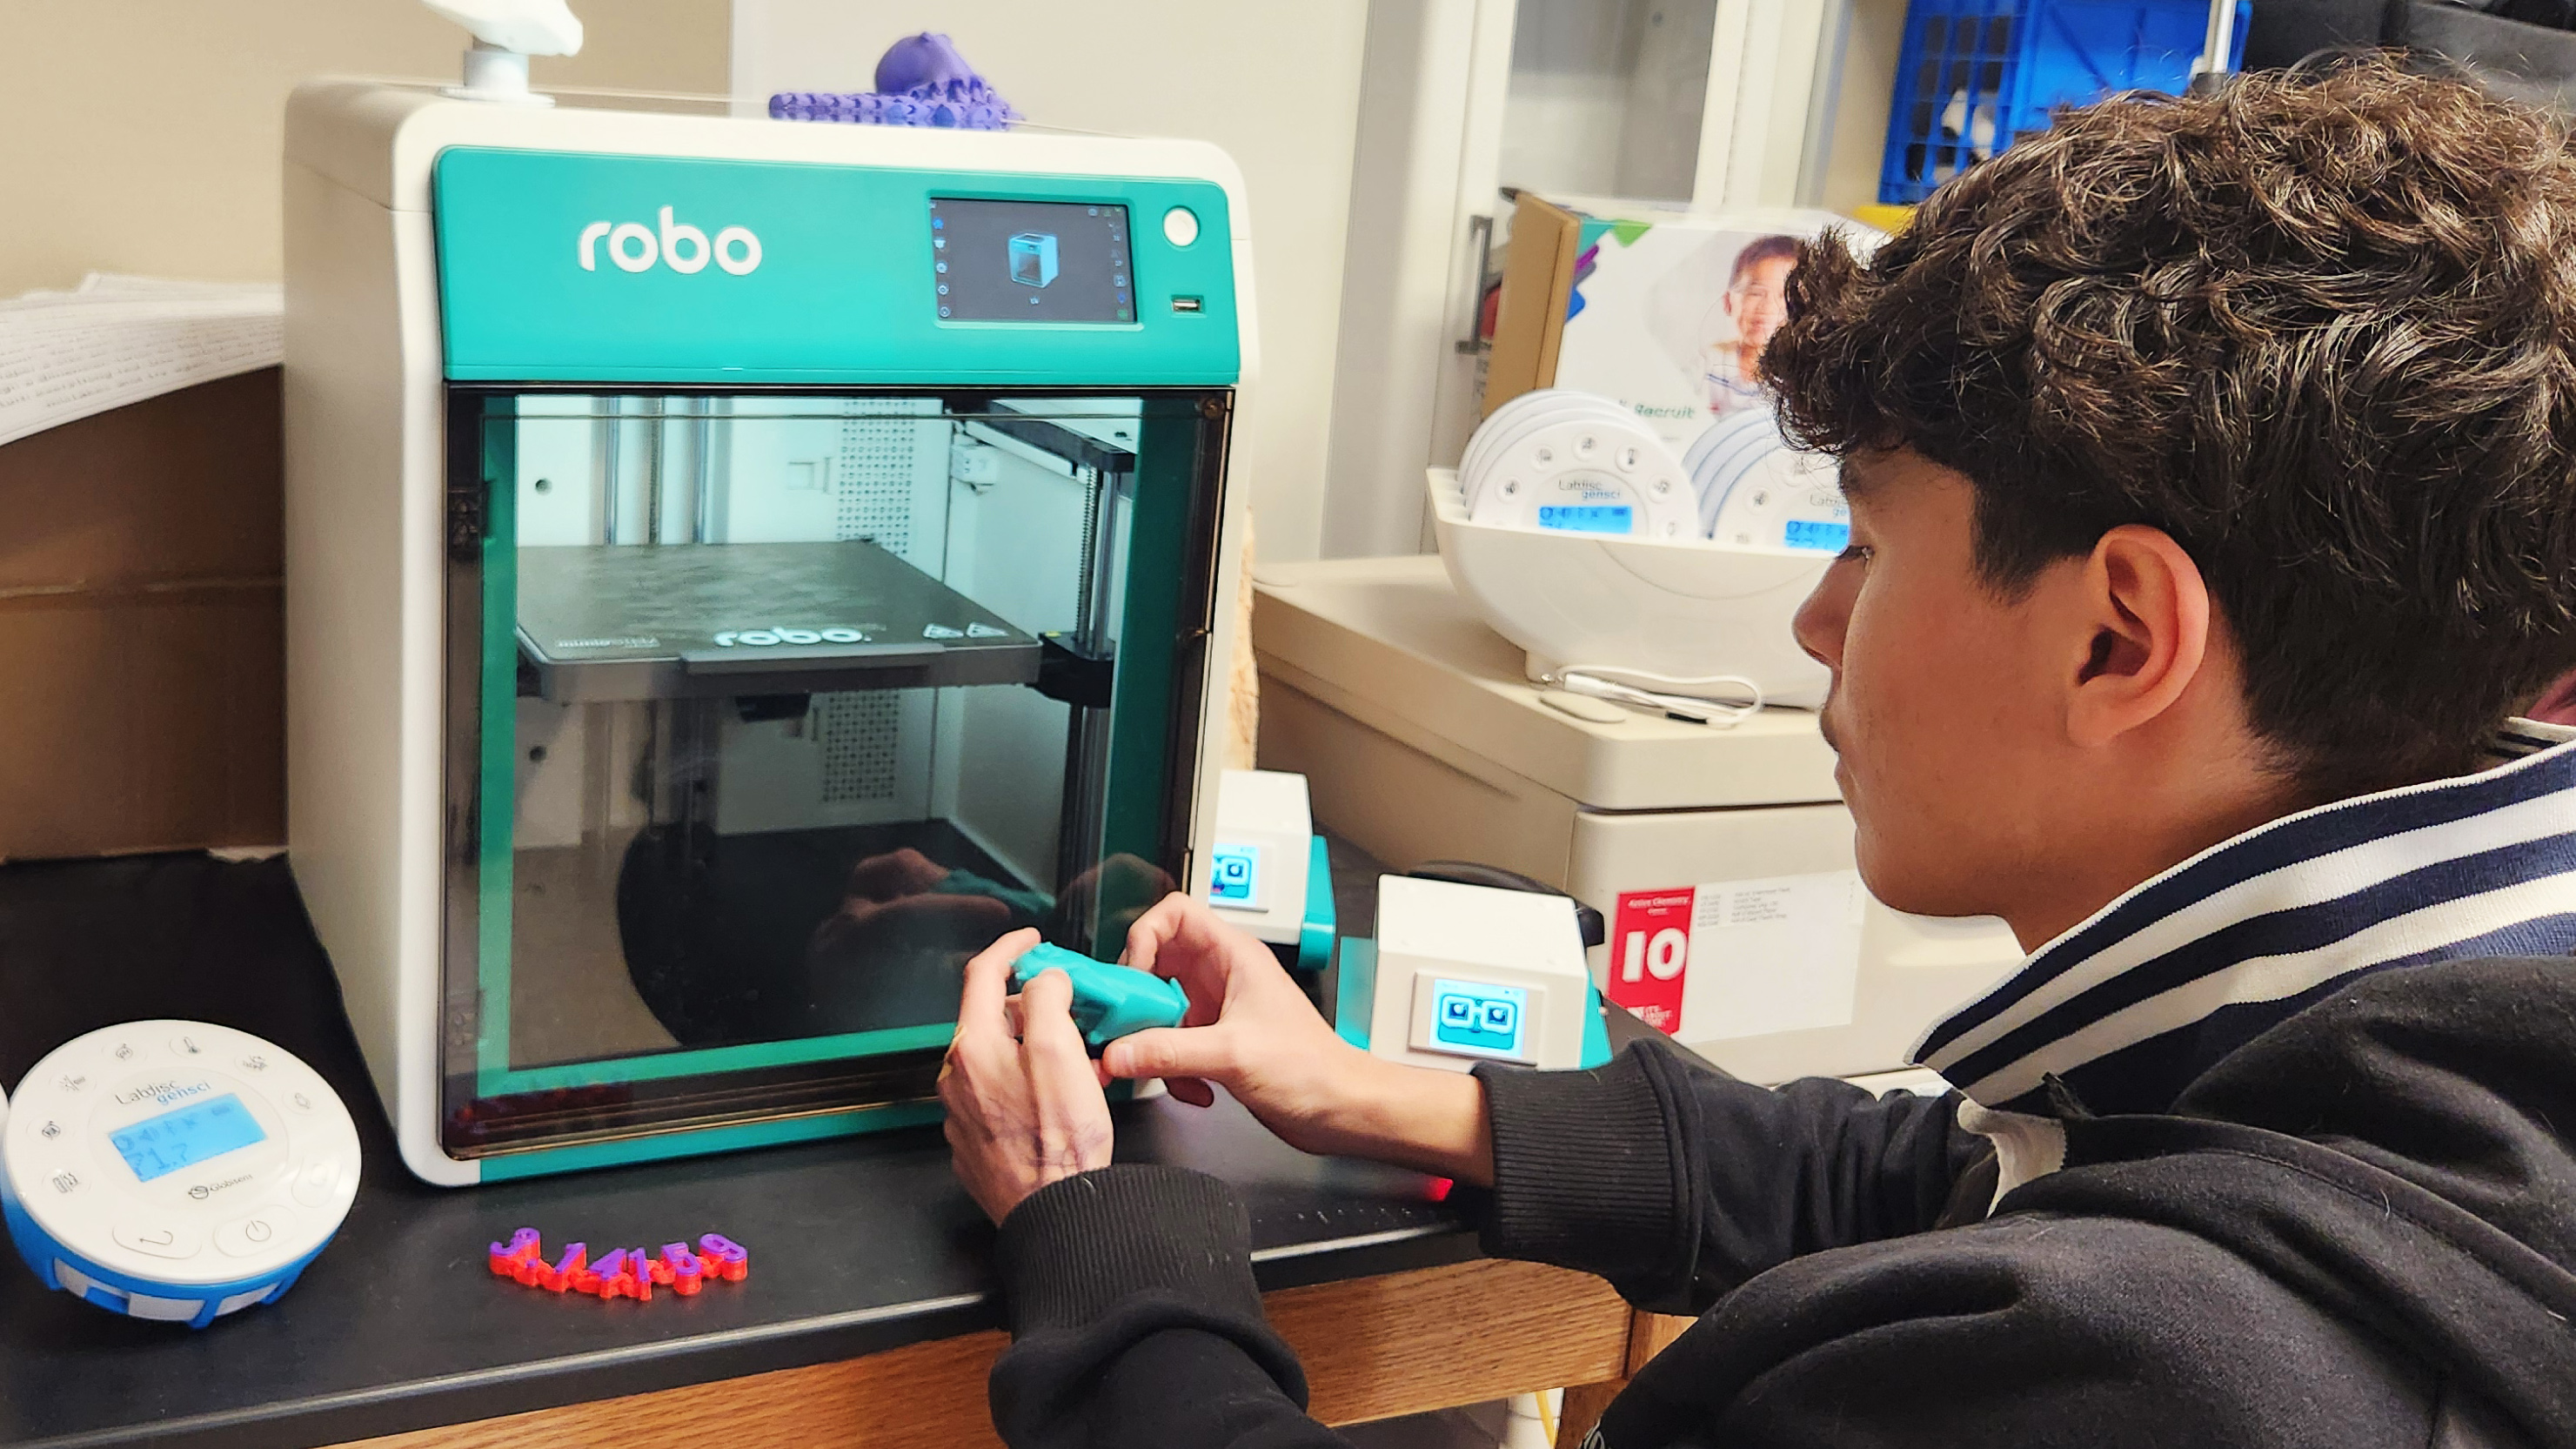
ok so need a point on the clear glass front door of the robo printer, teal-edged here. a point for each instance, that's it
(772, 710)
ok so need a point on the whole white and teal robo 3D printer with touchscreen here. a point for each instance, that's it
(735, 571)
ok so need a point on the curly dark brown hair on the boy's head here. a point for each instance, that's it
(2315, 326)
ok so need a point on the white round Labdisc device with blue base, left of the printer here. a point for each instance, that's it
(174, 1169)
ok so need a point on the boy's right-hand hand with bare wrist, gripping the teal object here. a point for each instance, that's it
(1253, 1033)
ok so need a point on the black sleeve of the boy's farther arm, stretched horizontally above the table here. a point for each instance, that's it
(1678, 1182)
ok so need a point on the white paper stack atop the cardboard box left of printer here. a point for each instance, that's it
(122, 339)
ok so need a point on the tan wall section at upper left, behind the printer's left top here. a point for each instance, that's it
(143, 135)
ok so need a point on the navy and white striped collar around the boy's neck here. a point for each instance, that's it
(2147, 994)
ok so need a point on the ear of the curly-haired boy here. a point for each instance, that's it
(2147, 633)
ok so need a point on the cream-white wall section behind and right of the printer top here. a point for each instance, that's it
(1279, 86)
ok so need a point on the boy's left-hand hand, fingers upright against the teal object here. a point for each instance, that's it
(1024, 1100)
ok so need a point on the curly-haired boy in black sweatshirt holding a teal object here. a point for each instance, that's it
(2214, 507)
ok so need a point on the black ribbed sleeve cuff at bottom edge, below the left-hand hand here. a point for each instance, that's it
(1135, 1321)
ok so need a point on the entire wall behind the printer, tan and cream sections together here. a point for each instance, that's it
(143, 135)
